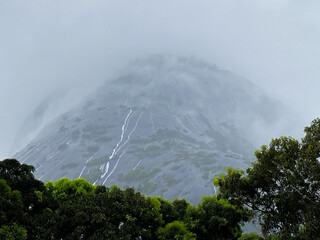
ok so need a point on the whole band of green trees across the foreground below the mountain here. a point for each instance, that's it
(281, 190)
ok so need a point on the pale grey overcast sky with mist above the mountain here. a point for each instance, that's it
(63, 46)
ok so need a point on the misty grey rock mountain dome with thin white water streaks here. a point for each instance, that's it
(166, 126)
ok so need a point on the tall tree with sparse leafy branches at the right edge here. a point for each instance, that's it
(282, 187)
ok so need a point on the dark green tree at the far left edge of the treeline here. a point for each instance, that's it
(25, 201)
